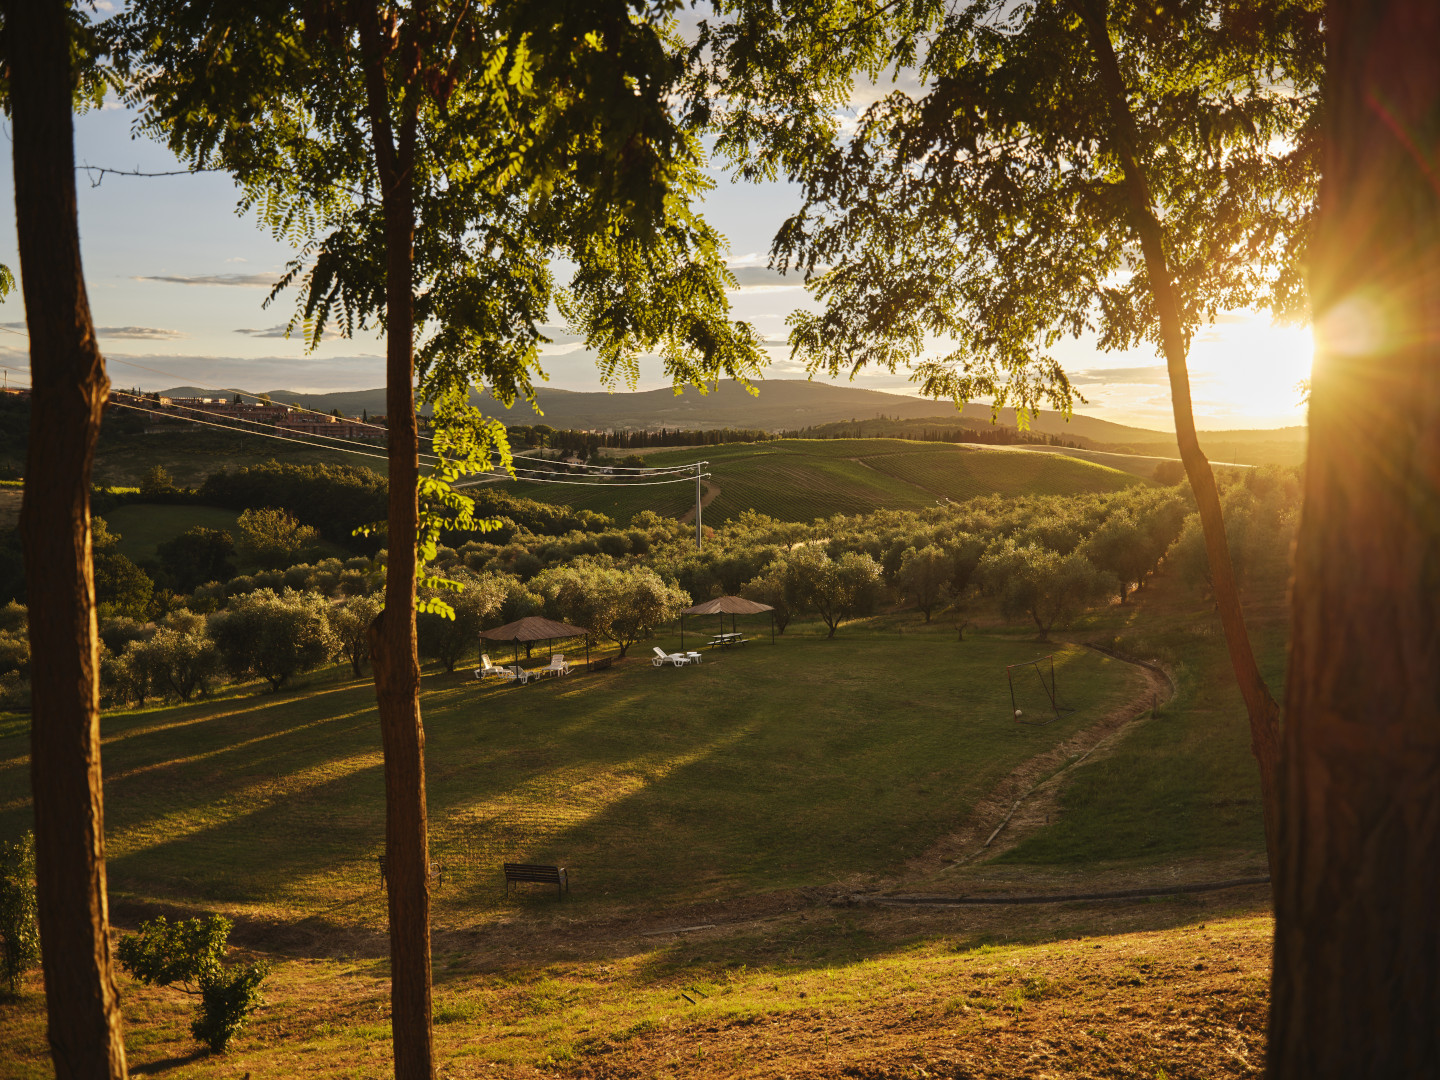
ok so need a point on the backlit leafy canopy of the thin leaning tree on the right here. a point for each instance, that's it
(981, 207)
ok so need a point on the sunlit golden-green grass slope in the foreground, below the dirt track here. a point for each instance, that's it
(1176, 990)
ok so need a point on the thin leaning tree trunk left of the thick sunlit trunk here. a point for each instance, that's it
(1265, 714)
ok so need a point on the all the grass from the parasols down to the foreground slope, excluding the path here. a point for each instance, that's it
(682, 798)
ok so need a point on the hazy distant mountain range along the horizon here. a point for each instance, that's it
(781, 405)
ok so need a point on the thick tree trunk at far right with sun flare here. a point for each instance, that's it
(1357, 951)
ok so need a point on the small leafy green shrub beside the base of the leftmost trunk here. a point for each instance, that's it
(192, 954)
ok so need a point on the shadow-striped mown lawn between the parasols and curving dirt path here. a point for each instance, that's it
(807, 764)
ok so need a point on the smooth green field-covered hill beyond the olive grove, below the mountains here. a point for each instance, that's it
(800, 480)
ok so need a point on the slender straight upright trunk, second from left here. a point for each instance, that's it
(392, 637)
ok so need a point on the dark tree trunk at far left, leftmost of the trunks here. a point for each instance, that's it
(67, 402)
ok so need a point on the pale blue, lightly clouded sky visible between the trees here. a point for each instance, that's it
(178, 286)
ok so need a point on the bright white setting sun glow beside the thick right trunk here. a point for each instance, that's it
(1246, 371)
